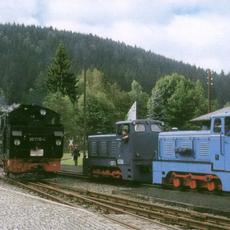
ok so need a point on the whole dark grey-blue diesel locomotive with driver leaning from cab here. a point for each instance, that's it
(129, 159)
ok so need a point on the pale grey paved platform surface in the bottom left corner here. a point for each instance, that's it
(23, 211)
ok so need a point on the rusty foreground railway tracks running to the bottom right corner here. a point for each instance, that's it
(116, 204)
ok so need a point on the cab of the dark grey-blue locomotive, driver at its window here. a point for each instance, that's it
(137, 143)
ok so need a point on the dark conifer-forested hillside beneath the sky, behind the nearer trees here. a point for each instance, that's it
(26, 53)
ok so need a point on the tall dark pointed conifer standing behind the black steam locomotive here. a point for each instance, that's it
(60, 77)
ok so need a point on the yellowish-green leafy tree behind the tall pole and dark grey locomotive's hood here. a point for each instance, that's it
(100, 109)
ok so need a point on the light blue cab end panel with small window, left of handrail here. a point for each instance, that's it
(217, 144)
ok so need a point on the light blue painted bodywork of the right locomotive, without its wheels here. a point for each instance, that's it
(204, 152)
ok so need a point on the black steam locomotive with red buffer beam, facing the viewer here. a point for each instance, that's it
(31, 139)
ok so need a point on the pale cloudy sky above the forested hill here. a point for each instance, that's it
(195, 32)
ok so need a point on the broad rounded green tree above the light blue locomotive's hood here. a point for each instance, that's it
(176, 100)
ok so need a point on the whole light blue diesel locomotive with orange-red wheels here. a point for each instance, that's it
(197, 159)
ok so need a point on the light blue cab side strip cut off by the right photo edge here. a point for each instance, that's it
(226, 143)
